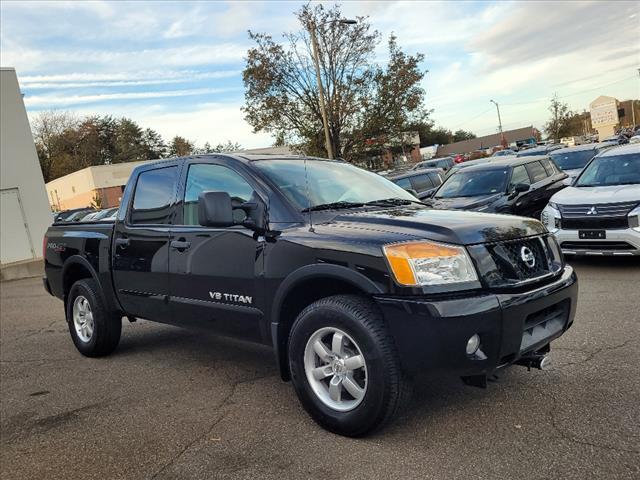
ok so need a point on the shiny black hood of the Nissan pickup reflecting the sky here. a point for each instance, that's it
(448, 226)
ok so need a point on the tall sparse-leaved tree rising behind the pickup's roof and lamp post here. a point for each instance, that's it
(364, 101)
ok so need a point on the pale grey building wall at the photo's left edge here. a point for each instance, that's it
(25, 212)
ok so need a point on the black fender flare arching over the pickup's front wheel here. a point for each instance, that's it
(303, 287)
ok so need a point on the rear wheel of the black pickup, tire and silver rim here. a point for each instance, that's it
(94, 329)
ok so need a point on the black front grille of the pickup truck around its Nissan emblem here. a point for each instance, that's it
(508, 257)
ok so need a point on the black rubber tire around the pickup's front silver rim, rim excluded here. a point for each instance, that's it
(387, 390)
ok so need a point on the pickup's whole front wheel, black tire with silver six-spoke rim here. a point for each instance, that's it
(344, 365)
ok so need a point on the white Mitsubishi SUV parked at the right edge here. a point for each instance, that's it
(600, 213)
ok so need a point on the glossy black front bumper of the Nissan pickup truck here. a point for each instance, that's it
(431, 334)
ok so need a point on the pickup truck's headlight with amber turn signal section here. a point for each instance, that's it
(429, 263)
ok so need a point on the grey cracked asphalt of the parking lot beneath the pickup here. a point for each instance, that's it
(171, 403)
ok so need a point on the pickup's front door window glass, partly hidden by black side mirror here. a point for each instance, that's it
(204, 177)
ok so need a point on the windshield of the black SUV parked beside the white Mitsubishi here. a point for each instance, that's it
(473, 183)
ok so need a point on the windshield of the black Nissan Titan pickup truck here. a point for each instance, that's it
(328, 182)
